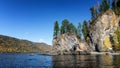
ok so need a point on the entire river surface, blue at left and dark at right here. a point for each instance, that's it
(25, 60)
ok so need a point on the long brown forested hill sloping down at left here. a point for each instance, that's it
(11, 44)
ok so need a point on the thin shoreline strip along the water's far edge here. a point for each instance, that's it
(73, 53)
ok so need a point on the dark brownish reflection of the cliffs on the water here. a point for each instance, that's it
(86, 61)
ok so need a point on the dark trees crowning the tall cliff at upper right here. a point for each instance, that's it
(104, 6)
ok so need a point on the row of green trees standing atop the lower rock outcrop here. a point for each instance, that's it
(66, 27)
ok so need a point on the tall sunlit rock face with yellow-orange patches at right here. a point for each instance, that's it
(103, 29)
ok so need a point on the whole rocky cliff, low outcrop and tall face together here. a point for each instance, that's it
(100, 36)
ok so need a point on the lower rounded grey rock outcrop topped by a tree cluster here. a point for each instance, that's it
(68, 43)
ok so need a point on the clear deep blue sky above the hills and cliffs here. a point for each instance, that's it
(34, 19)
